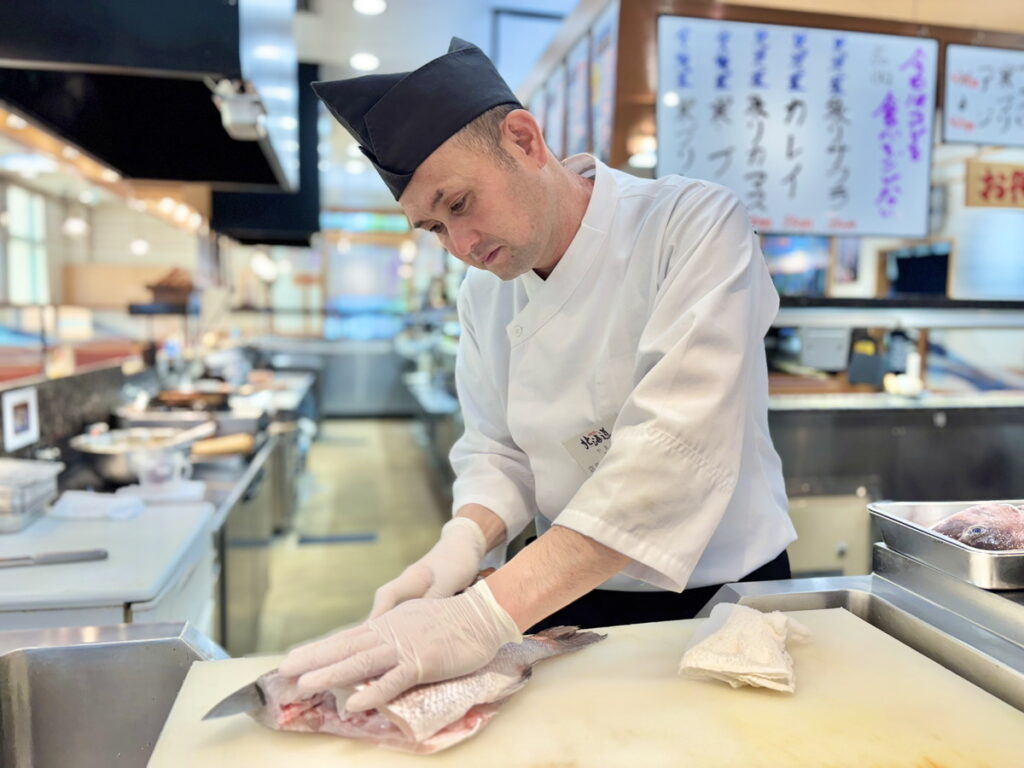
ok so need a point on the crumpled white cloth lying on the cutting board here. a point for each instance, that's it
(744, 647)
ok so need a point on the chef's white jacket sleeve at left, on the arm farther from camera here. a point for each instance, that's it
(490, 468)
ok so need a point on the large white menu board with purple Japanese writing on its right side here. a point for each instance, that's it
(819, 132)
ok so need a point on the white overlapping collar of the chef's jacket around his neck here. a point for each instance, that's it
(546, 297)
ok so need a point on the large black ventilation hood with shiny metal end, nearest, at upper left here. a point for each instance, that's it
(189, 91)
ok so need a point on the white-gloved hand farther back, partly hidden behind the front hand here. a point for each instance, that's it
(449, 568)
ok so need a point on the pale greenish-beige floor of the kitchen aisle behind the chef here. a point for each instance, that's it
(370, 511)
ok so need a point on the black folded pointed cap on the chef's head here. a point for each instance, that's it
(401, 119)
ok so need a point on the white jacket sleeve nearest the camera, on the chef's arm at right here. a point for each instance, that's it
(664, 486)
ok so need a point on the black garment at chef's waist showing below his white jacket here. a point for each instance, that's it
(612, 608)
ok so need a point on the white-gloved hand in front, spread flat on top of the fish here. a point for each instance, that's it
(420, 642)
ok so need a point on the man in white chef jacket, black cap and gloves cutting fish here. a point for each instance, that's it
(612, 375)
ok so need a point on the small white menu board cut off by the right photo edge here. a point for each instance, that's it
(985, 98)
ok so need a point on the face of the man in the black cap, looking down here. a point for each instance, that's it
(489, 214)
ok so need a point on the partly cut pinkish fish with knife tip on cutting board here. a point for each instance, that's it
(425, 719)
